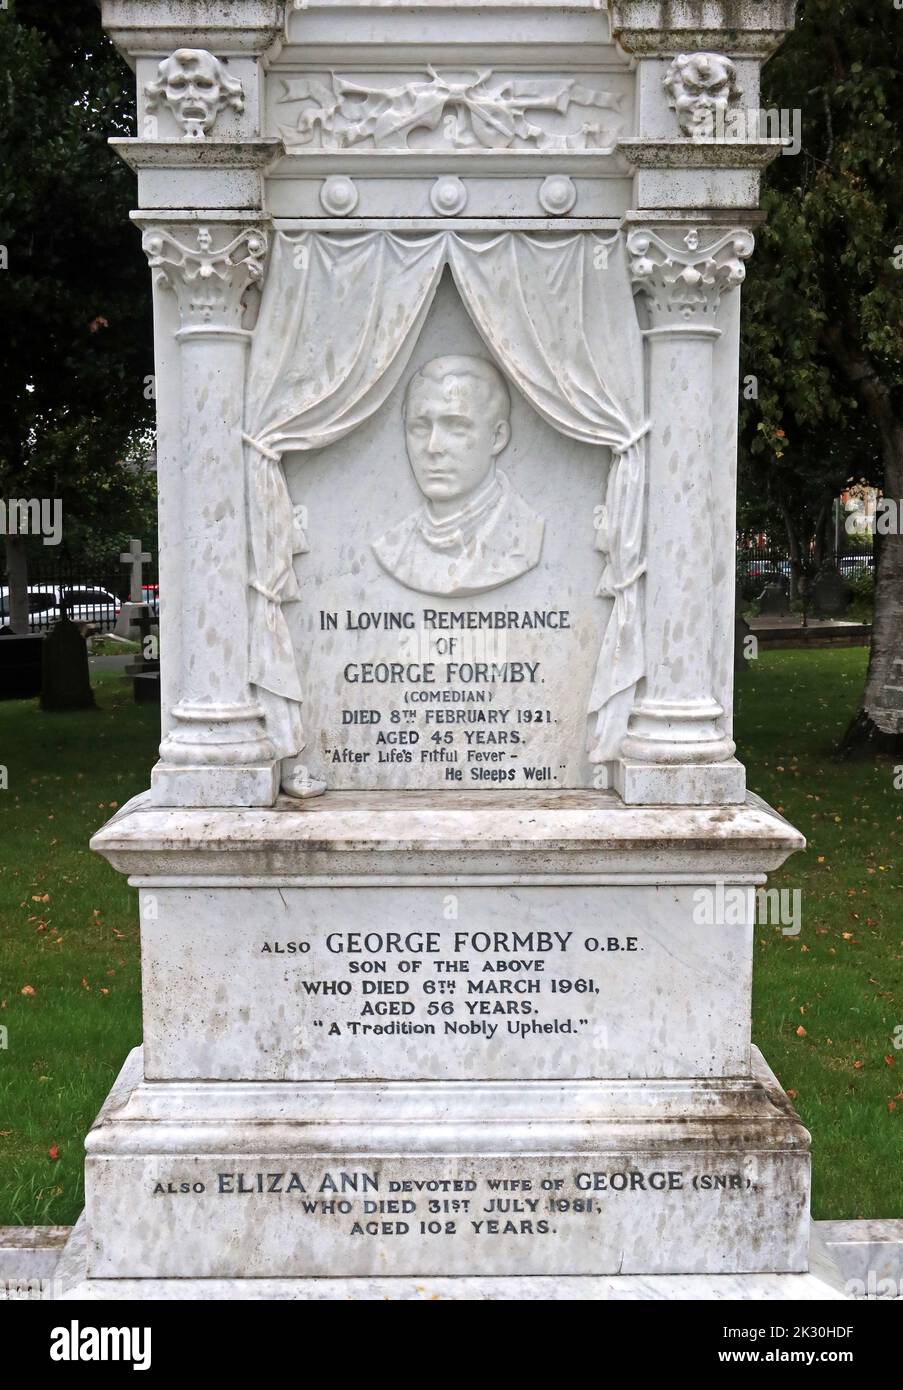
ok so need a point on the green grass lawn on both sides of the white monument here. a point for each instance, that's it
(70, 954)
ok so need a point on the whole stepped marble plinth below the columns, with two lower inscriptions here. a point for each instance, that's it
(399, 1033)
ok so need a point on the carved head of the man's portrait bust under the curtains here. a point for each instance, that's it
(456, 422)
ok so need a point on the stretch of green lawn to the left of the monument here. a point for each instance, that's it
(69, 932)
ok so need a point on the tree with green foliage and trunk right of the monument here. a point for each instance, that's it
(825, 300)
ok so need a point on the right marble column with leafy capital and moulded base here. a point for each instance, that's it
(677, 750)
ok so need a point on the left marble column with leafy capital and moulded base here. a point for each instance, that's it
(217, 753)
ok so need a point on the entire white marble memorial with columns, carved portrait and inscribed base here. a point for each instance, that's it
(438, 972)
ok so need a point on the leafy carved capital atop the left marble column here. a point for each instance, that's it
(210, 283)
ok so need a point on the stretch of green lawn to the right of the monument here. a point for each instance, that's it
(827, 1003)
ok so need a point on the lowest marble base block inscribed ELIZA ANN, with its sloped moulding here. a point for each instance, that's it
(498, 1179)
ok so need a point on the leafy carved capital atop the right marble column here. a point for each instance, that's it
(686, 283)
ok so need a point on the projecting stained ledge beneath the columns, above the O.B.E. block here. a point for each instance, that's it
(415, 833)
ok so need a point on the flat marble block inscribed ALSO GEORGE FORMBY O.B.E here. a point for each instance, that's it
(497, 982)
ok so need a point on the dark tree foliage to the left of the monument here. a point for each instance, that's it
(74, 297)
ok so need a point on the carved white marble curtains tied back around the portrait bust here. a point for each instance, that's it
(340, 320)
